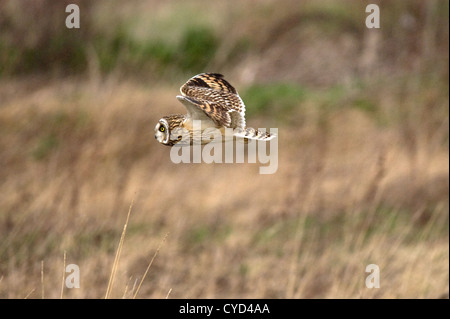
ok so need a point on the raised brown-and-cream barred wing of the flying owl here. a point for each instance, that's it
(215, 97)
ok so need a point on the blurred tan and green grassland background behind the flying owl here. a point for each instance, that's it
(363, 174)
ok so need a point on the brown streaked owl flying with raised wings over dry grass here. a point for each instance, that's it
(212, 101)
